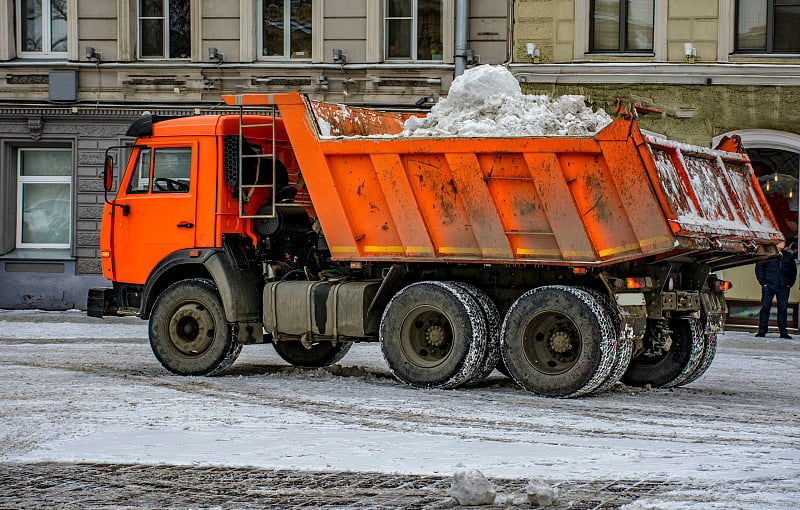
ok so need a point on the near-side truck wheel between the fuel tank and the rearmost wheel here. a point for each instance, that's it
(433, 335)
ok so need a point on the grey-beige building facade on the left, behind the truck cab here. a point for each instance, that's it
(75, 73)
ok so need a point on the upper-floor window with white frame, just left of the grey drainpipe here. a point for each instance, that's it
(413, 29)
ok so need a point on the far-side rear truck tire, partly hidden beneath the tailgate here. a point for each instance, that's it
(670, 368)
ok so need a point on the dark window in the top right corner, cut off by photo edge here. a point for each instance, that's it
(769, 26)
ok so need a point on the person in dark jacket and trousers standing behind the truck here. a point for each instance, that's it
(776, 277)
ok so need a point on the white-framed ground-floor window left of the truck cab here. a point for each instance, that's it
(44, 198)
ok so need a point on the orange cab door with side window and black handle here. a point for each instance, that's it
(160, 193)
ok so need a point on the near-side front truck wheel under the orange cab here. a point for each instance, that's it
(188, 331)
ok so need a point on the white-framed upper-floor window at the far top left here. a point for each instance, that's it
(42, 27)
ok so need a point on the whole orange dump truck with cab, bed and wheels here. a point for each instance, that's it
(569, 263)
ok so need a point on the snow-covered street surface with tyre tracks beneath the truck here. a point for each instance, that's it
(83, 390)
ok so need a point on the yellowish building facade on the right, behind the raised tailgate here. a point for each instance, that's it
(704, 69)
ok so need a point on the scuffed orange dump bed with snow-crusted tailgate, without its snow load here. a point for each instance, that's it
(615, 196)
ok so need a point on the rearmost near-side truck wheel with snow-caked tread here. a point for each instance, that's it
(558, 341)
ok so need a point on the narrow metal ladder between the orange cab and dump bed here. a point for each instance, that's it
(270, 154)
